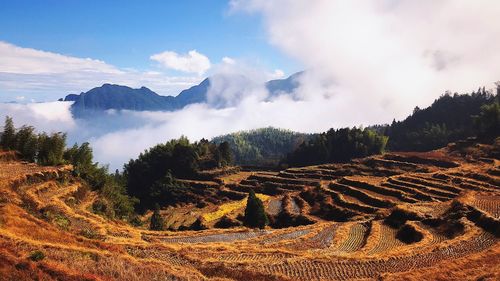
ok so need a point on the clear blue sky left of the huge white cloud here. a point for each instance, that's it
(125, 34)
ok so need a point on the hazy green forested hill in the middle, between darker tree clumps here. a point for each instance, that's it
(266, 146)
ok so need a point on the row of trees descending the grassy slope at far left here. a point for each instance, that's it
(51, 150)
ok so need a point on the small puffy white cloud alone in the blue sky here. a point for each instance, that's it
(192, 62)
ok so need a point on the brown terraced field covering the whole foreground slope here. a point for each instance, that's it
(328, 222)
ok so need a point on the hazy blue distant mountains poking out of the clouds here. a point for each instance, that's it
(118, 97)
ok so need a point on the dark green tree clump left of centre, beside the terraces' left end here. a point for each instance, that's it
(152, 177)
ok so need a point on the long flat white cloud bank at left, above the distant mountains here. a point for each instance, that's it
(48, 76)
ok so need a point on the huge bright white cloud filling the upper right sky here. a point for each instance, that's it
(385, 56)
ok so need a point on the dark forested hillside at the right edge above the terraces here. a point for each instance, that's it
(448, 119)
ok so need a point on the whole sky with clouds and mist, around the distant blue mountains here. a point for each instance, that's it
(365, 62)
